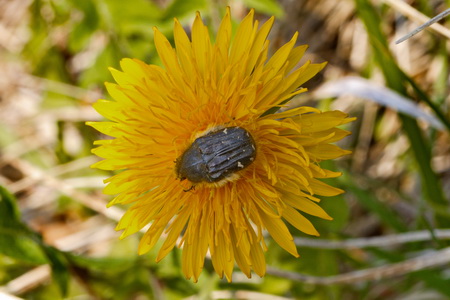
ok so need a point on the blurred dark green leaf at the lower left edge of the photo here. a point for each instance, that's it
(16, 240)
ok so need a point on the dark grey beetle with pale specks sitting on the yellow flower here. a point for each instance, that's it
(217, 155)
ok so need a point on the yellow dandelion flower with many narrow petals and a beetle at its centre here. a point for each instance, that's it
(205, 91)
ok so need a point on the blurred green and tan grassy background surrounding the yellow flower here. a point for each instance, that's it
(389, 237)
